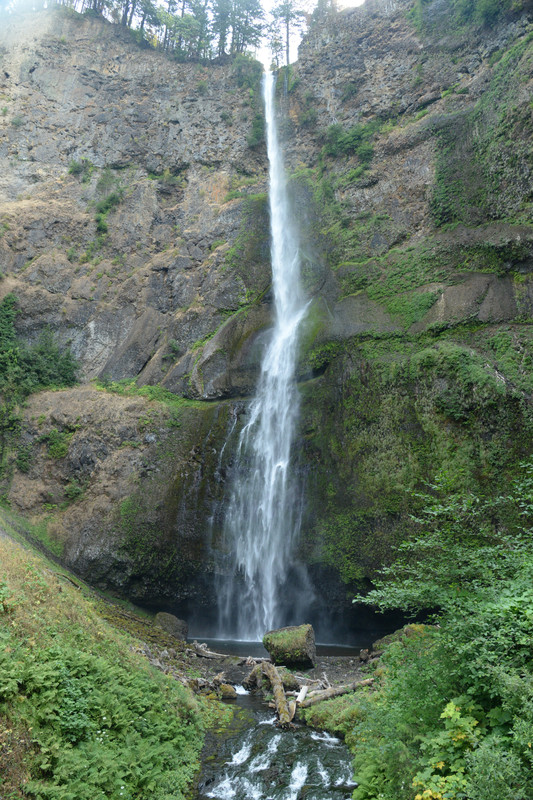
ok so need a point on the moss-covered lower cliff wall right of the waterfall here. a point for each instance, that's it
(393, 411)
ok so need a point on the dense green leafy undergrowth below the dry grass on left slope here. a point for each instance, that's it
(101, 729)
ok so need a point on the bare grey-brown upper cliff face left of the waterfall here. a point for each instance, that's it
(139, 293)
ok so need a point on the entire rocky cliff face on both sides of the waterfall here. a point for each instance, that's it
(410, 154)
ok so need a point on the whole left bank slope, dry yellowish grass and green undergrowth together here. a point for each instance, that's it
(82, 715)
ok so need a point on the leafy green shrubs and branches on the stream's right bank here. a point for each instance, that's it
(453, 714)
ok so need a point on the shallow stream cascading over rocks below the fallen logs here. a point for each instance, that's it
(256, 760)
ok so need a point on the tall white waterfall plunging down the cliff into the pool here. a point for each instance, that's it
(263, 518)
